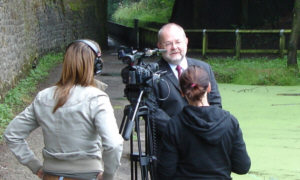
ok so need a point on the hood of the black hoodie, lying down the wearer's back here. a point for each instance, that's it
(208, 123)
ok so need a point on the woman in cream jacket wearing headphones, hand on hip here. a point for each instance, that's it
(80, 132)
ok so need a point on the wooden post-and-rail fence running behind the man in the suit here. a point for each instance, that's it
(147, 37)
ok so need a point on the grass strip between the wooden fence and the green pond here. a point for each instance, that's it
(254, 71)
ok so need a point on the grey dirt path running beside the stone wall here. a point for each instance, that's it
(10, 169)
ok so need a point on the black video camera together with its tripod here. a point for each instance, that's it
(139, 78)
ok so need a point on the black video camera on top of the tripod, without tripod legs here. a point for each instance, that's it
(138, 75)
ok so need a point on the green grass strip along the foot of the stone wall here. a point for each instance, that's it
(22, 94)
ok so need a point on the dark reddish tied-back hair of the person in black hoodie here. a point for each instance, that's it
(194, 82)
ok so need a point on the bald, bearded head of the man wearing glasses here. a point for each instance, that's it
(175, 42)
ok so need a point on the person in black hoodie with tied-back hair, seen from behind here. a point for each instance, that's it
(203, 141)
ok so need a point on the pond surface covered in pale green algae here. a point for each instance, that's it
(271, 127)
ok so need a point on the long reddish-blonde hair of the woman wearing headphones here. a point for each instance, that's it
(78, 69)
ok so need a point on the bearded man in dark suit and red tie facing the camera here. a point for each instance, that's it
(166, 100)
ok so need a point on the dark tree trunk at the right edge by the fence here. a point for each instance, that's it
(292, 47)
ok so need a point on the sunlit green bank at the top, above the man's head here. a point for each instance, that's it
(144, 10)
